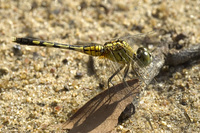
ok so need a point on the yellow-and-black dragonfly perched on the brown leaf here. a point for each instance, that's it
(117, 50)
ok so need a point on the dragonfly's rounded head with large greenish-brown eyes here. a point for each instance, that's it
(144, 57)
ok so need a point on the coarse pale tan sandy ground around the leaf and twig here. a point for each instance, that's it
(43, 86)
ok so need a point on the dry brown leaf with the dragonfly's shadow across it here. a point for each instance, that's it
(101, 113)
